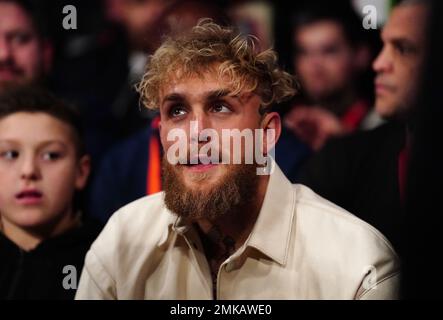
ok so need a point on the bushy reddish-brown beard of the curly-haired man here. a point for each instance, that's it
(233, 192)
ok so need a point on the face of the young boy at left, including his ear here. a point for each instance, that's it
(39, 170)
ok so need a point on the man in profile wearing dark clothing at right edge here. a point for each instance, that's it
(365, 173)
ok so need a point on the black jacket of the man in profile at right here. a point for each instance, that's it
(360, 173)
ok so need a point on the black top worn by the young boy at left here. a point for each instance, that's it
(38, 274)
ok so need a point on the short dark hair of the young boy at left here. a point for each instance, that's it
(38, 100)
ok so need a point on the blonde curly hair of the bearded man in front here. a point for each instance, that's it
(235, 56)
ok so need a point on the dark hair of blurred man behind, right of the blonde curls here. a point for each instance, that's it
(342, 14)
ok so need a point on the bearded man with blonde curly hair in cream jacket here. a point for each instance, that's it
(224, 230)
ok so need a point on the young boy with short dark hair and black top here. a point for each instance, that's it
(43, 165)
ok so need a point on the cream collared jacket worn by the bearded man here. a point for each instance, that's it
(301, 247)
